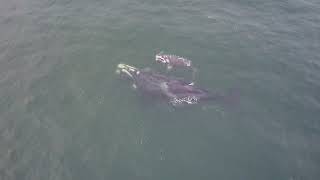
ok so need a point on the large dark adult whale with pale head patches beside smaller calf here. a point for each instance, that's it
(176, 90)
